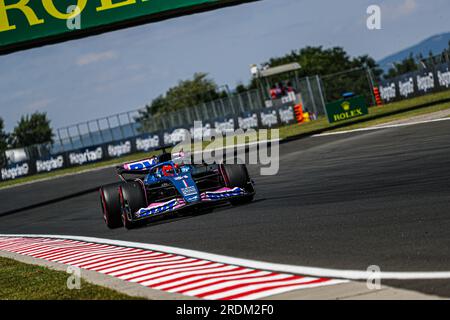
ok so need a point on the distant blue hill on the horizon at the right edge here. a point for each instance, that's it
(435, 44)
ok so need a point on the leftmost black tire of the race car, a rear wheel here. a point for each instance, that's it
(110, 204)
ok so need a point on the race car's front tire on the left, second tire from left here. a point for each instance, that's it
(132, 198)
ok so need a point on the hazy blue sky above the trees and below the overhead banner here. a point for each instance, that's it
(120, 71)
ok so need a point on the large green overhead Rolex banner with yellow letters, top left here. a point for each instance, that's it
(29, 23)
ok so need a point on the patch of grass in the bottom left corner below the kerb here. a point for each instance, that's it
(20, 281)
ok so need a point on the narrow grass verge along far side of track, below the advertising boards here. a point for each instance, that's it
(287, 131)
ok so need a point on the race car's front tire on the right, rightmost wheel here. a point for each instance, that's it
(236, 175)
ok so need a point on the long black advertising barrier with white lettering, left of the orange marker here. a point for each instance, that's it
(19, 167)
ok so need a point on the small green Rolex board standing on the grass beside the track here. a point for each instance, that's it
(346, 109)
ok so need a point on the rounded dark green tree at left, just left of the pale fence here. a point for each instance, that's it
(30, 130)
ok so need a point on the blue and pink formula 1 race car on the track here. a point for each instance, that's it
(163, 185)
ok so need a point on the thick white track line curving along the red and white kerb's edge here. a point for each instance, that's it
(301, 270)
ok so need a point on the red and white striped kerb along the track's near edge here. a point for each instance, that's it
(163, 271)
